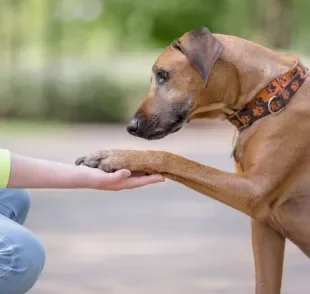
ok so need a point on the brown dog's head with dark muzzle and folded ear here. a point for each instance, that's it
(188, 82)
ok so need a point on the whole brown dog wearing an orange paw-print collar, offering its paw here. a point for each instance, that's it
(204, 75)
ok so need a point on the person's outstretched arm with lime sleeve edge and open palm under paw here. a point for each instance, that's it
(17, 171)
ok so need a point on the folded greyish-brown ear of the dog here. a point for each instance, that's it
(201, 49)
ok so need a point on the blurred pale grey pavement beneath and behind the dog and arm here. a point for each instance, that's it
(160, 239)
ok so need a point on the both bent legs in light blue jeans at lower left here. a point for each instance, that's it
(22, 256)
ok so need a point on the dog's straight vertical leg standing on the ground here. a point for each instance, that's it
(268, 249)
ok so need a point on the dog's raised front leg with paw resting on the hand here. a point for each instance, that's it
(238, 191)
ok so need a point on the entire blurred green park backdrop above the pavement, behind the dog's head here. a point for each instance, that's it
(90, 60)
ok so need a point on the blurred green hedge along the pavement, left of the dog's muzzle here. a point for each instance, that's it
(90, 98)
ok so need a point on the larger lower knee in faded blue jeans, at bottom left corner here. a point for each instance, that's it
(22, 259)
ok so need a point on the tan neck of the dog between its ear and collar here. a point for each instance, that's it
(255, 64)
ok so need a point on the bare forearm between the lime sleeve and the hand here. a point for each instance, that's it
(26, 172)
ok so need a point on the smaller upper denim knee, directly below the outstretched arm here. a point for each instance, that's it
(15, 204)
